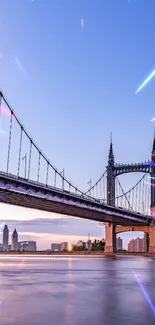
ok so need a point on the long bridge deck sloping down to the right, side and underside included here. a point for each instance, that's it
(16, 190)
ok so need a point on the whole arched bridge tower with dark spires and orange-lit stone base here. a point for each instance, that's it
(114, 170)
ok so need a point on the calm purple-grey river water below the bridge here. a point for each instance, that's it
(77, 290)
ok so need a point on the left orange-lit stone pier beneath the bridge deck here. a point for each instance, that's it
(110, 238)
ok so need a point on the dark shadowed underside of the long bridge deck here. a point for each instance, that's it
(29, 201)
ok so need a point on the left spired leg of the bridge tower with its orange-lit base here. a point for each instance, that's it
(110, 236)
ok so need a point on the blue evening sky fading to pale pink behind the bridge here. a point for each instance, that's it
(70, 69)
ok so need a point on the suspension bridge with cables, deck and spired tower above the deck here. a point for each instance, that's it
(40, 185)
